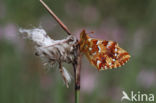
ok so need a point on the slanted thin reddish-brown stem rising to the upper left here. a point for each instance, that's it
(56, 18)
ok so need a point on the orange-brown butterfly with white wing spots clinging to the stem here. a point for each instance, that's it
(101, 53)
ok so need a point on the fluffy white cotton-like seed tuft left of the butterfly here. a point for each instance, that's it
(53, 51)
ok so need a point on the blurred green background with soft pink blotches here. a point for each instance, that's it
(129, 22)
